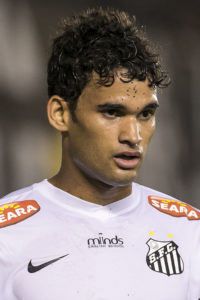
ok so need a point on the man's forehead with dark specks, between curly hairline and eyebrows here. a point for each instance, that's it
(133, 92)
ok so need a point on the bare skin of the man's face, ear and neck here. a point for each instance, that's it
(110, 120)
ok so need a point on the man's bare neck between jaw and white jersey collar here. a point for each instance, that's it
(89, 189)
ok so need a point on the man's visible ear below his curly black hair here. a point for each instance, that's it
(58, 113)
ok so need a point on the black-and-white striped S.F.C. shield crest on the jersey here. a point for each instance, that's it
(163, 257)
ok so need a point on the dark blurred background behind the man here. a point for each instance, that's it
(30, 149)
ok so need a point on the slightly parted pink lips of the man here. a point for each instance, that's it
(127, 159)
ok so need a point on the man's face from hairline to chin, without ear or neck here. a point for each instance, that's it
(113, 129)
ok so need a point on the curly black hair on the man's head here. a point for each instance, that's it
(101, 41)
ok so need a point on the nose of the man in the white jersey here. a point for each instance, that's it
(130, 132)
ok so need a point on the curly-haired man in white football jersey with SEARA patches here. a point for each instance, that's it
(90, 232)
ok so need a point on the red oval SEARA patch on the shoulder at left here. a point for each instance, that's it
(12, 213)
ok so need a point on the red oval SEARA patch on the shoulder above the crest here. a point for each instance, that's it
(174, 208)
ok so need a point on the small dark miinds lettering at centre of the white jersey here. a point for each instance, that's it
(103, 242)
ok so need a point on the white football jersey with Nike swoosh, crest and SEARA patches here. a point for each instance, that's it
(55, 246)
